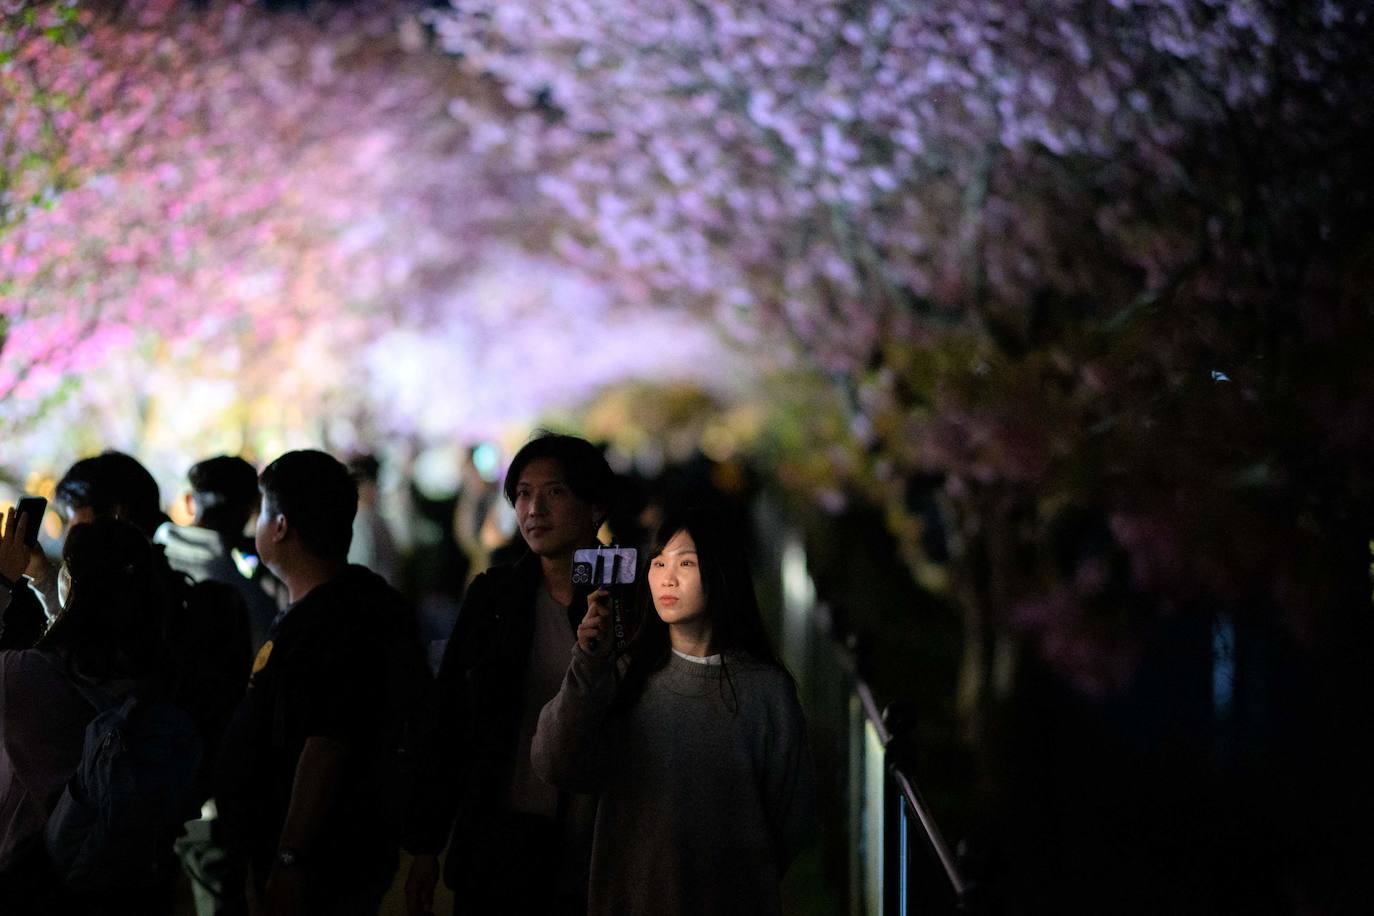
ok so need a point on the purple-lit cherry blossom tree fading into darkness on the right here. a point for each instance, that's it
(1050, 257)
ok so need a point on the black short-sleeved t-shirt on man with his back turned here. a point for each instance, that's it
(318, 676)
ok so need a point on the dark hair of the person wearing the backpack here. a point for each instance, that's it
(113, 626)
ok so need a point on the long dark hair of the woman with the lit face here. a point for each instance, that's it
(736, 621)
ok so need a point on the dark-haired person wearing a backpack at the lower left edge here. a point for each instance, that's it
(105, 642)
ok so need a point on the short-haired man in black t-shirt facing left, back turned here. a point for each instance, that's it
(302, 772)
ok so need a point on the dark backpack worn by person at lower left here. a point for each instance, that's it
(135, 786)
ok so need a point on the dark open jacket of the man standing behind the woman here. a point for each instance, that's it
(480, 691)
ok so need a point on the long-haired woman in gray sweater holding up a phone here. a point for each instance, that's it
(695, 741)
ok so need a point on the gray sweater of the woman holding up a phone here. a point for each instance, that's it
(707, 793)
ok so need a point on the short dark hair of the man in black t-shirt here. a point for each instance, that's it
(318, 498)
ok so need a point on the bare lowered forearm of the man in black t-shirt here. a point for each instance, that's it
(314, 793)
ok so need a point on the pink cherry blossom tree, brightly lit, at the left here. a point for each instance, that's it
(255, 211)
